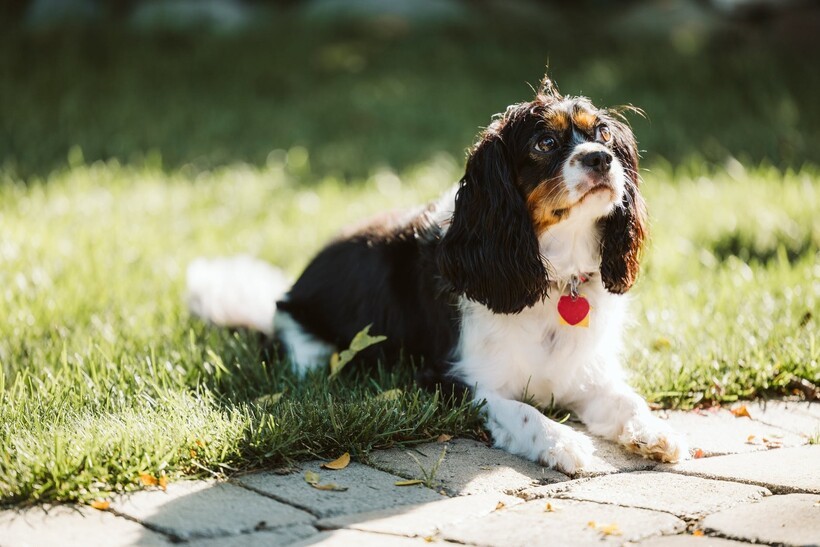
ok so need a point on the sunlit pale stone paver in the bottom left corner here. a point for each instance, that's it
(70, 526)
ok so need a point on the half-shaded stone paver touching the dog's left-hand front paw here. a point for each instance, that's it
(469, 467)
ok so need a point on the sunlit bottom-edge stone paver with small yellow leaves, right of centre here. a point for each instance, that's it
(570, 523)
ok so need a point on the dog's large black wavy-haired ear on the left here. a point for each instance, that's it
(490, 251)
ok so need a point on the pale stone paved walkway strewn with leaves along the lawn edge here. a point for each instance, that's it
(757, 481)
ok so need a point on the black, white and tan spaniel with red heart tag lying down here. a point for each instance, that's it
(512, 284)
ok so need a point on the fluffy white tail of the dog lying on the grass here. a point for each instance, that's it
(238, 291)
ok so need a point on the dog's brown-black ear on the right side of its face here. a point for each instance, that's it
(624, 231)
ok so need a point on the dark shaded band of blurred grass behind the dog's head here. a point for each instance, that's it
(393, 90)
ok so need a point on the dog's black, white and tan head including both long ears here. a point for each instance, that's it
(532, 167)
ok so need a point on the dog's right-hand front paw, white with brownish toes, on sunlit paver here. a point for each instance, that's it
(652, 438)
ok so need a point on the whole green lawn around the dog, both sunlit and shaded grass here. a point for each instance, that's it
(125, 158)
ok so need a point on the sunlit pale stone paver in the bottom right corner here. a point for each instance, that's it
(792, 519)
